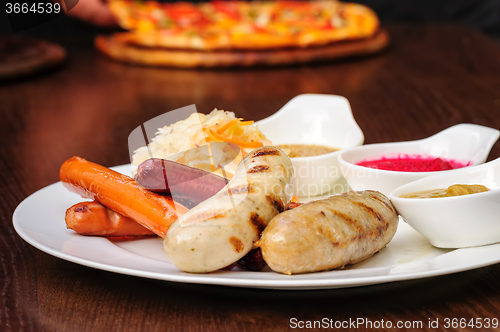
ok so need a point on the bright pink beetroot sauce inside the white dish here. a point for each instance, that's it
(413, 163)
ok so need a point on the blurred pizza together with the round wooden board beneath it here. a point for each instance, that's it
(242, 33)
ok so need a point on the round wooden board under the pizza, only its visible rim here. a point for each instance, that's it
(162, 57)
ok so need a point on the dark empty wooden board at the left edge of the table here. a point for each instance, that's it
(21, 56)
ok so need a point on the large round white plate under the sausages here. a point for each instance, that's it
(39, 220)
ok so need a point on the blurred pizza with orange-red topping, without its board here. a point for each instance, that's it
(241, 24)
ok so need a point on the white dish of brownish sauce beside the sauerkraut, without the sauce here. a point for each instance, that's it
(320, 120)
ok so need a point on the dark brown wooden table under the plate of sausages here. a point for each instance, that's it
(434, 76)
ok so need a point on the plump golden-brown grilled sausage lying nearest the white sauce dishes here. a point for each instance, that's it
(329, 233)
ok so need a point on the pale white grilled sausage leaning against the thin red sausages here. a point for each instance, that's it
(222, 229)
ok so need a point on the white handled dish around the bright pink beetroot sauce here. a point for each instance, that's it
(463, 142)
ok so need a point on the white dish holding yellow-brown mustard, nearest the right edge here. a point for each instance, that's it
(458, 221)
